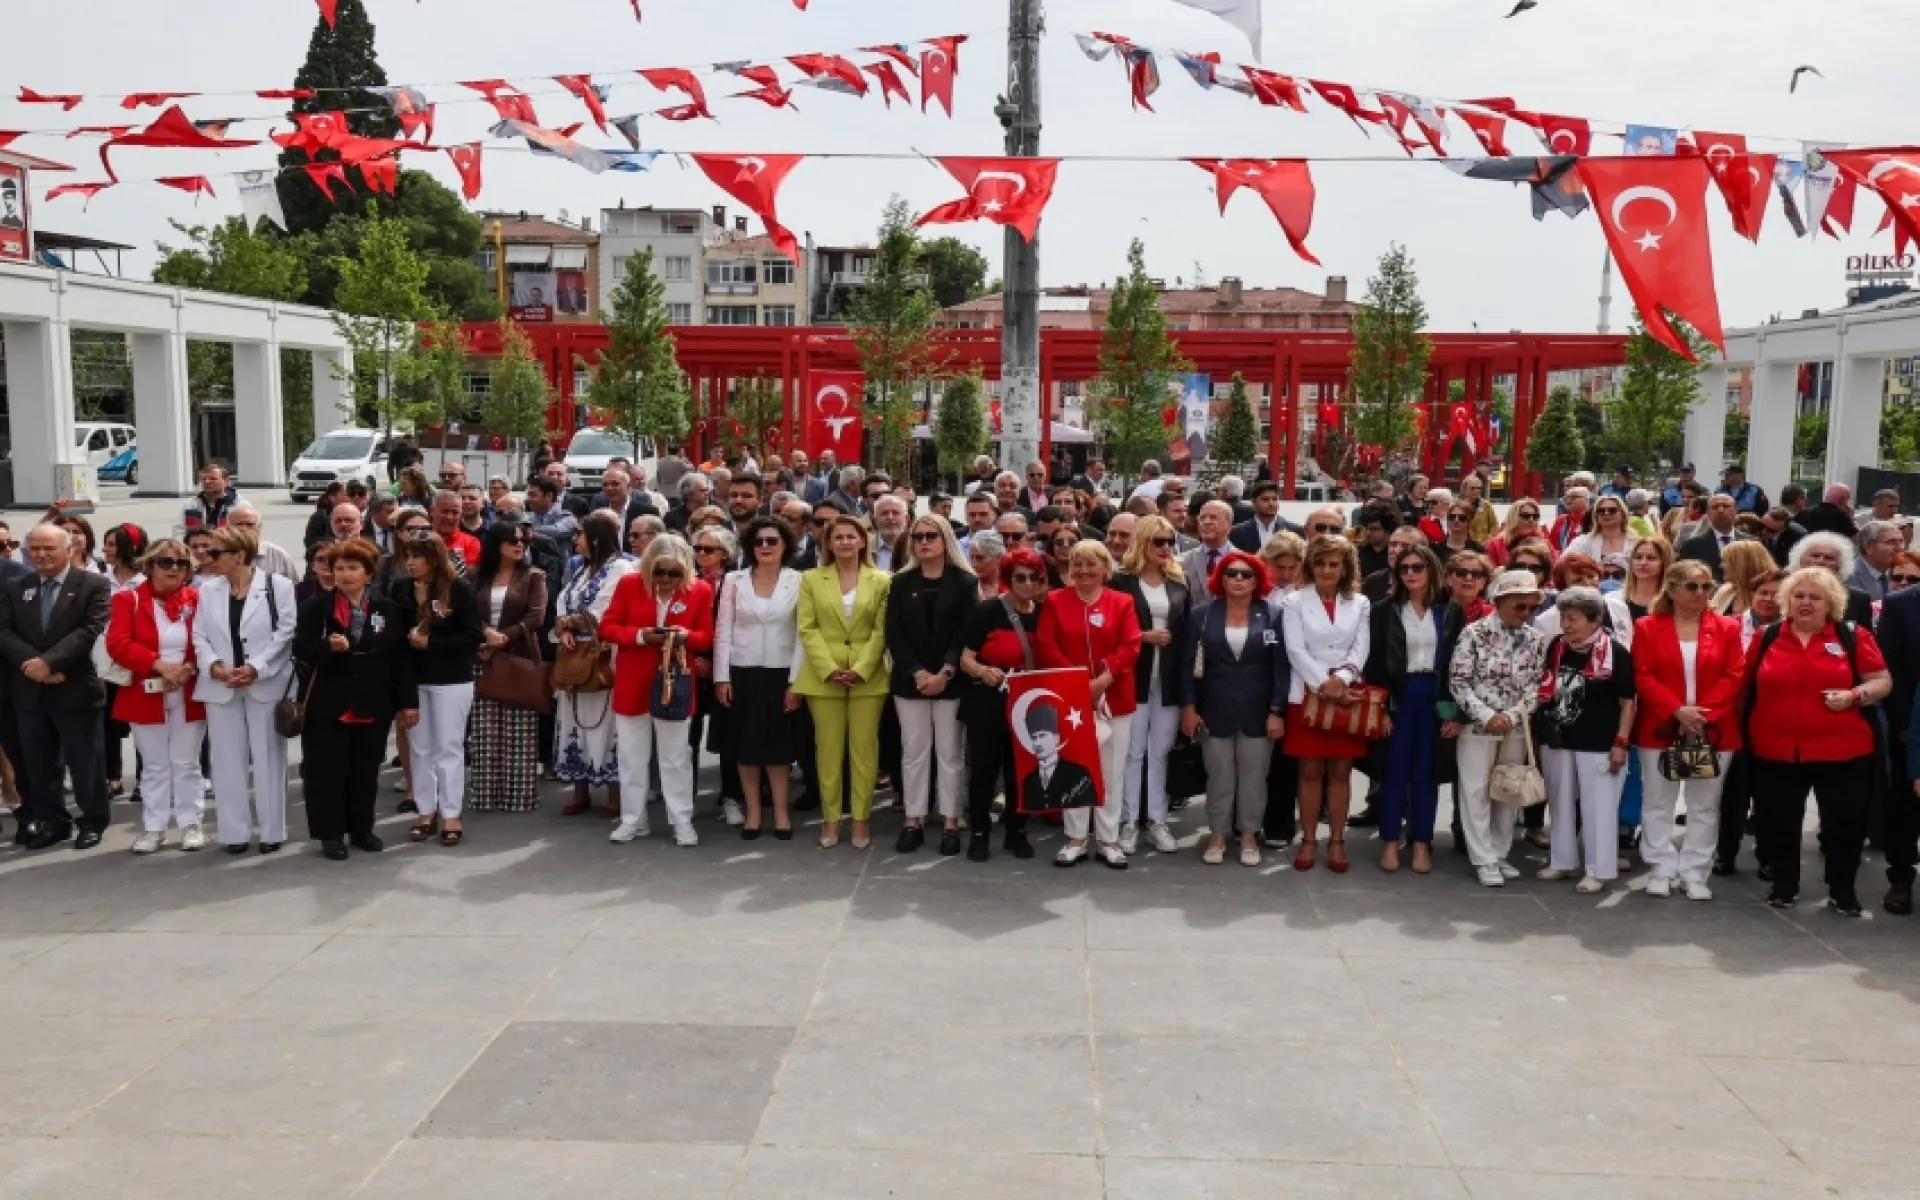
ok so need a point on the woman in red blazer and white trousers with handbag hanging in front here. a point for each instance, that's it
(1689, 669)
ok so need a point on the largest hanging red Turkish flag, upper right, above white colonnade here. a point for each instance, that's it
(1654, 212)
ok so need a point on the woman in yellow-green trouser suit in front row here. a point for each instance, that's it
(844, 640)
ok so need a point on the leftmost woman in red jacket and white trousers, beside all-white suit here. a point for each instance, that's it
(151, 633)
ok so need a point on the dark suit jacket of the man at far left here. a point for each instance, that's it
(66, 644)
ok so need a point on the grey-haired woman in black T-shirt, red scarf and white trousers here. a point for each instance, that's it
(1583, 727)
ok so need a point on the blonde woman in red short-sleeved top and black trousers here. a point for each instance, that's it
(1813, 679)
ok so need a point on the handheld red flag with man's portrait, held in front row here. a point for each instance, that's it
(1057, 746)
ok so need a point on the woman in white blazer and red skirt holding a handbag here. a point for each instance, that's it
(1328, 640)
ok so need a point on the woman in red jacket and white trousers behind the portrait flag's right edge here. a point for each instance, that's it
(1090, 625)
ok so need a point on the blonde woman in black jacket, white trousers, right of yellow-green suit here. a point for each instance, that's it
(926, 610)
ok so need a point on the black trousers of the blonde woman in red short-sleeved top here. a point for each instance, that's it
(1781, 807)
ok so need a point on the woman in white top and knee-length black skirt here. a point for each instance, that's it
(757, 656)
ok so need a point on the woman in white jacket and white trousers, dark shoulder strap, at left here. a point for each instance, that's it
(247, 665)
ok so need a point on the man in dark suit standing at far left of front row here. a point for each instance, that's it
(49, 627)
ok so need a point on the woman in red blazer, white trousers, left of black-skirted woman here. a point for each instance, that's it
(656, 612)
